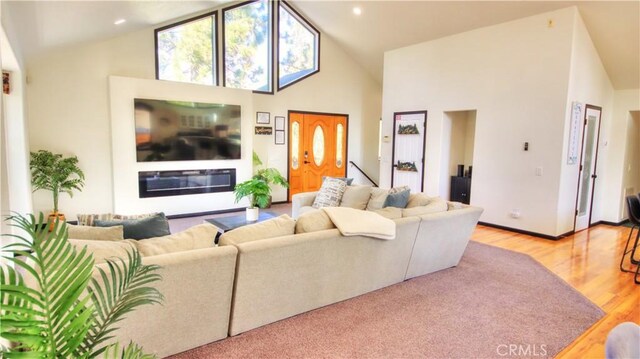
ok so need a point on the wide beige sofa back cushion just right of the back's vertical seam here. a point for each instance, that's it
(275, 227)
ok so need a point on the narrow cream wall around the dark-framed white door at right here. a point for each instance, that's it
(588, 83)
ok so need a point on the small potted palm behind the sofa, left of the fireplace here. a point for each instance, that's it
(57, 174)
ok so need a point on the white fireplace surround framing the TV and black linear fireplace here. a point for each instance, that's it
(122, 91)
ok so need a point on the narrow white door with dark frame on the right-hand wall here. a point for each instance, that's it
(587, 178)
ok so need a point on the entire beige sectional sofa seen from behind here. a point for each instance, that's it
(276, 269)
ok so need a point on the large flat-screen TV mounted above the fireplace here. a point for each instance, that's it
(186, 131)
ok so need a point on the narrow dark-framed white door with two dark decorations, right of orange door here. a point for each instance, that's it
(409, 135)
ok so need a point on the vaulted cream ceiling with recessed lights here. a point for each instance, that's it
(384, 25)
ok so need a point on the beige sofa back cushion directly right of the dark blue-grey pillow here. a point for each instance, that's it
(196, 237)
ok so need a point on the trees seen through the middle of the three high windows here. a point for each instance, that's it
(247, 46)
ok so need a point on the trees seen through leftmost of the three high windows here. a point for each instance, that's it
(186, 51)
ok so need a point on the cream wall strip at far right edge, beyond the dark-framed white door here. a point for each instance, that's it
(613, 189)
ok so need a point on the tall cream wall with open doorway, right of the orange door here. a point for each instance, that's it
(516, 76)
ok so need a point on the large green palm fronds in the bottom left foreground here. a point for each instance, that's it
(53, 307)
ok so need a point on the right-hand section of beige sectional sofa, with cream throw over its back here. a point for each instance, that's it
(282, 276)
